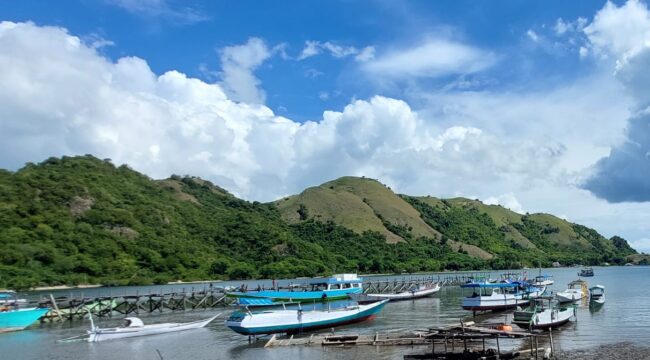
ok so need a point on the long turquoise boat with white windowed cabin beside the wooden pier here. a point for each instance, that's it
(337, 287)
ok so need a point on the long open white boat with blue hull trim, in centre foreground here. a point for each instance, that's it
(299, 320)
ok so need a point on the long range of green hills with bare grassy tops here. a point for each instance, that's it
(80, 219)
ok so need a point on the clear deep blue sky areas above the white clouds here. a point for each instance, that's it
(187, 36)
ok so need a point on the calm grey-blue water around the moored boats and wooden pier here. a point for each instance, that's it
(624, 317)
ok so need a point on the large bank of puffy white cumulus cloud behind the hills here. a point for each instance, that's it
(60, 96)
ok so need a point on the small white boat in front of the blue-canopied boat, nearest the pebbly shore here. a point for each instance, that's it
(543, 313)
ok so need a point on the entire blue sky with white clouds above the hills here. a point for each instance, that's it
(539, 106)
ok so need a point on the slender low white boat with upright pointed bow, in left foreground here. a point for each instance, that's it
(134, 327)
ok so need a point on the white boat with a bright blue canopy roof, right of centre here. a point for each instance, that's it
(500, 296)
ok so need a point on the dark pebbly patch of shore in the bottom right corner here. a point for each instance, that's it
(620, 351)
